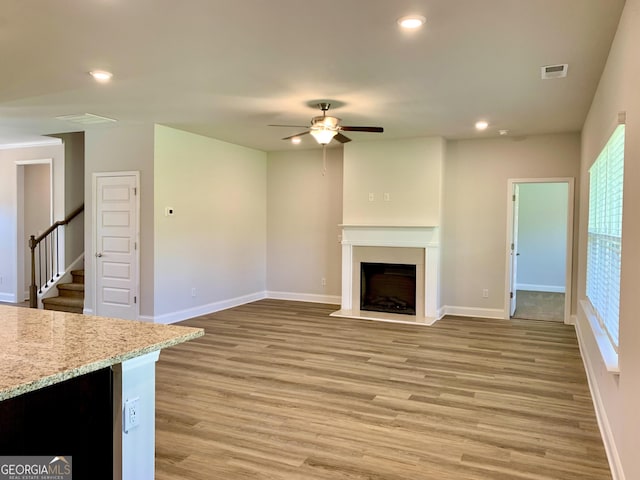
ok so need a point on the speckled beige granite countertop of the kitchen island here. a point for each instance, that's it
(39, 348)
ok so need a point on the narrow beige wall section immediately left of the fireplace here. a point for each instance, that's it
(304, 213)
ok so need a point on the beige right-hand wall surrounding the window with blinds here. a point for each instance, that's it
(617, 397)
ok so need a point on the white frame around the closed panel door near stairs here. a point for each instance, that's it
(94, 236)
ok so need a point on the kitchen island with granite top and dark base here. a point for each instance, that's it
(83, 387)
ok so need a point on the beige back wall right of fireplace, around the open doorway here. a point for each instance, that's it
(475, 210)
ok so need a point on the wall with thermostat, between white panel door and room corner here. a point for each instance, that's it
(211, 253)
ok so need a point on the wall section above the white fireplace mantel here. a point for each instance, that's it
(409, 170)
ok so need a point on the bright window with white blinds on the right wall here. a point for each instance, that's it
(605, 234)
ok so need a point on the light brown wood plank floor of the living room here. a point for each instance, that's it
(280, 390)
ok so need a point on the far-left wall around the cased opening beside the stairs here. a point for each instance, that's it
(9, 288)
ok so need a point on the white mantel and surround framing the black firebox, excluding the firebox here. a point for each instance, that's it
(396, 245)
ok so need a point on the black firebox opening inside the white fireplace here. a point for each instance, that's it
(388, 287)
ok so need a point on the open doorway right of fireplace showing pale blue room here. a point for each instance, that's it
(540, 249)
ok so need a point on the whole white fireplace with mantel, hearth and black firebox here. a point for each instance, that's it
(410, 255)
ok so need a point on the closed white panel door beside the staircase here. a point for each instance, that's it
(116, 255)
